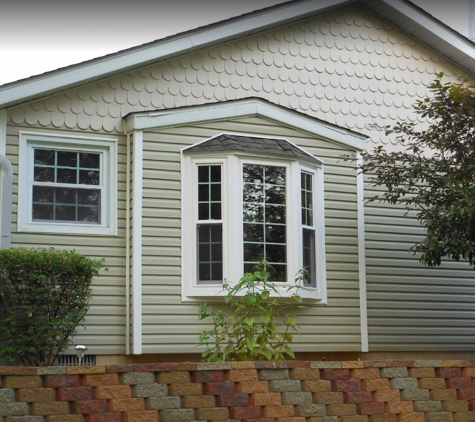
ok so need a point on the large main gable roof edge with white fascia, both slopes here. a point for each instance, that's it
(401, 13)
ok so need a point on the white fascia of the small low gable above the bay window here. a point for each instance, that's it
(229, 110)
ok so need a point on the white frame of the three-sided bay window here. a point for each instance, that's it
(232, 221)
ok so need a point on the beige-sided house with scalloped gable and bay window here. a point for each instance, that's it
(177, 161)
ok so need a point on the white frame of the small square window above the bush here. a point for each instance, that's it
(106, 147)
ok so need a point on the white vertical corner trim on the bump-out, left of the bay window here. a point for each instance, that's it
(137, 244)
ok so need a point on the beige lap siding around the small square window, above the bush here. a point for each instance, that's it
(105, 320)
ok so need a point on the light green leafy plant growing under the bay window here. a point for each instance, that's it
(256, 325)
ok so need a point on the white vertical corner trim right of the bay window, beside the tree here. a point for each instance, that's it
(362, 256)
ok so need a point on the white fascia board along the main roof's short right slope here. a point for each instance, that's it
(432, 26)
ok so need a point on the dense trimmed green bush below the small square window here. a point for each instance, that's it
(44, 295)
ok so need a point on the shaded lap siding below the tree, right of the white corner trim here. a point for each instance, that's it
(412, 307)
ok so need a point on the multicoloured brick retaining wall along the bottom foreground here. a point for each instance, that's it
(384, 391)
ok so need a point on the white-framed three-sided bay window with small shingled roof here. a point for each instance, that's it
(241, 205)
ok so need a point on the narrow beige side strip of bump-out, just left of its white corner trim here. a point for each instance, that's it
(127, 251)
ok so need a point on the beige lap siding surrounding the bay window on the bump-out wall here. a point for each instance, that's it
(166, 320)
